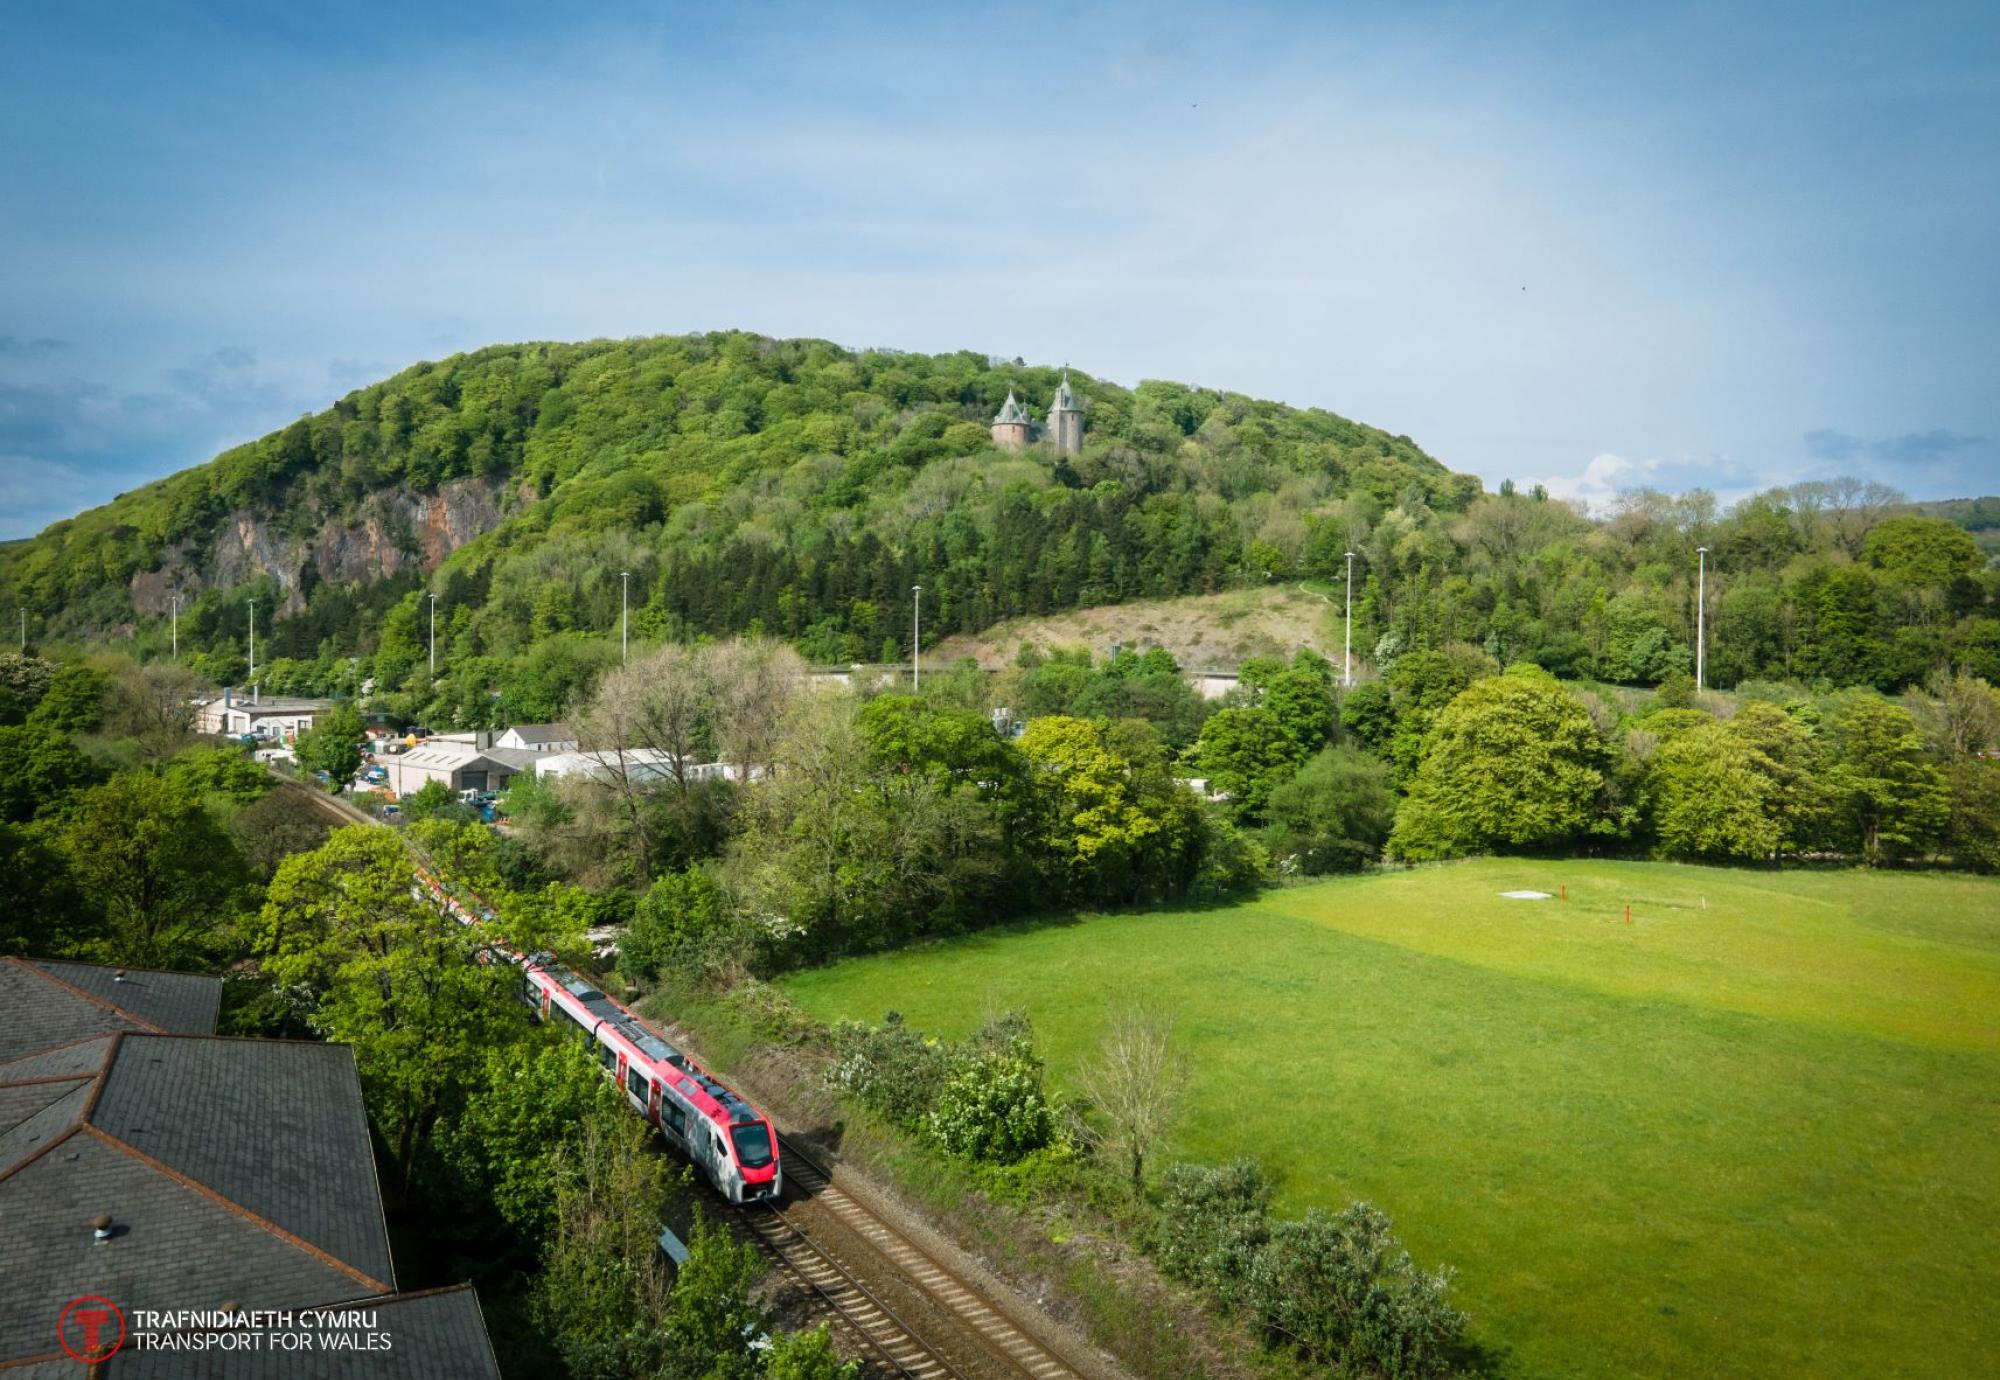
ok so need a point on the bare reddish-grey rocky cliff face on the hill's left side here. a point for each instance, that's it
(397, 531)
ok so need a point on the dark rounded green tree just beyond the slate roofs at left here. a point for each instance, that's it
(161, 871)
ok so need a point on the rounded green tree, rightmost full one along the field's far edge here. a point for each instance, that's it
(1893, 799)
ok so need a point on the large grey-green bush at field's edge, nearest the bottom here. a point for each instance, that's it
(1343, 1291)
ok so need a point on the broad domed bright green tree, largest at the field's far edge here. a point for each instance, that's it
(1513, 763)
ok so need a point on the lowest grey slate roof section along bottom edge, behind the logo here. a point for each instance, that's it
(435, 1335)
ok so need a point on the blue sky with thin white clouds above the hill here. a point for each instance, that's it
(1725, 245)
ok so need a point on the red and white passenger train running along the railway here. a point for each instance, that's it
(727, 1139)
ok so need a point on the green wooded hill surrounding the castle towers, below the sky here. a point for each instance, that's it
(799, 489)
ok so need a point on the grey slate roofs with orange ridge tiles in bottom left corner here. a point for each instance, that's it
(235, 1171)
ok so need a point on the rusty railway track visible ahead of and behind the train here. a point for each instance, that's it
(855, 1305)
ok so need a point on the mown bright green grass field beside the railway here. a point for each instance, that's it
(1753, 1133)
